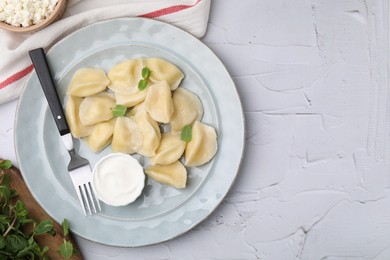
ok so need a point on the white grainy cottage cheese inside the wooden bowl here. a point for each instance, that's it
(24, 13)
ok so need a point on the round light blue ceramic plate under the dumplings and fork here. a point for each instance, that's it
(161, 212)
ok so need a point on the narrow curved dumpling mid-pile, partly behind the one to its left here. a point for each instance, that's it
(150, 132)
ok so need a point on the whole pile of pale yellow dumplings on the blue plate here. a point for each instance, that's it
(153, 122)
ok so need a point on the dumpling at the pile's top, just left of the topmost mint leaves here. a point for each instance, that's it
(124, 77)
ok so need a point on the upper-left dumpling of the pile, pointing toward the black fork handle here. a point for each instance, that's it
(87, 82)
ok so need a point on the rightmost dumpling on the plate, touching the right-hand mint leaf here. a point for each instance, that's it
(202, 146)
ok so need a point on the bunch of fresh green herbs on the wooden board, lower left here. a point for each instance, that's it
(18, 231)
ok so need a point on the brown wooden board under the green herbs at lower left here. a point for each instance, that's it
(36, 212)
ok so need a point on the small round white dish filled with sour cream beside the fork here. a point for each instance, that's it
(118, 179)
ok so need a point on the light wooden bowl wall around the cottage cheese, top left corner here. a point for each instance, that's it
(55, 15)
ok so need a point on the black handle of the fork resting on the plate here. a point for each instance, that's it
(42, 69)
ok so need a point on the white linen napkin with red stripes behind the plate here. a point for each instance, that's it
(15, 64)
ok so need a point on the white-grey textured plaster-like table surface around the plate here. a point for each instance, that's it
(314, 182)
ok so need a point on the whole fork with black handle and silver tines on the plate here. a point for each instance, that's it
(79, 168)
